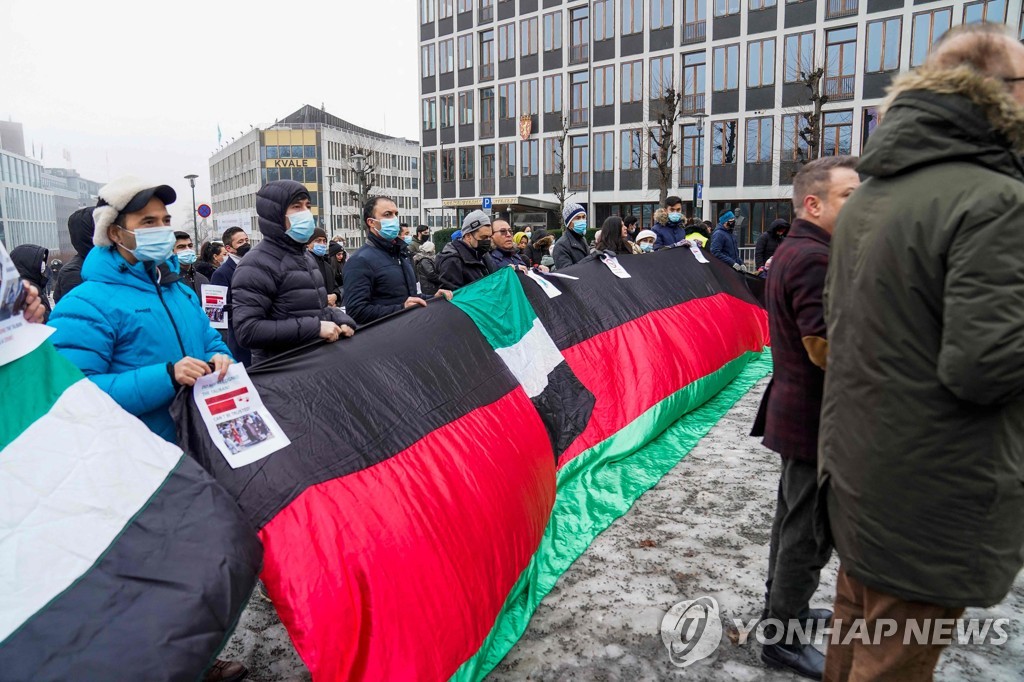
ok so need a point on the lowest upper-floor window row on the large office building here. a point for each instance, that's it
(755, 141)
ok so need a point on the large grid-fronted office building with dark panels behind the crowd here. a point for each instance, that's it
(501, 80)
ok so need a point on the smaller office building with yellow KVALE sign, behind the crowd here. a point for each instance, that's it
(322, 152)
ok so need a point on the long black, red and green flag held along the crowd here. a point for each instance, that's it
(448, 464)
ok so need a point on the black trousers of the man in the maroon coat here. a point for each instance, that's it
(796, 558)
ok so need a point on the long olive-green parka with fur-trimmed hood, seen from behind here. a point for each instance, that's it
(922, 438)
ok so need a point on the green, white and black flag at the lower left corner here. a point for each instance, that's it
(120, 559)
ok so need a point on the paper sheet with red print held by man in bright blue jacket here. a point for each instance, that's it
(242, 429)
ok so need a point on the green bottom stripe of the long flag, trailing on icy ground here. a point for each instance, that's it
(602, 484)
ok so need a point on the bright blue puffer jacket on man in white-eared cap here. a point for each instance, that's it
(122, 327)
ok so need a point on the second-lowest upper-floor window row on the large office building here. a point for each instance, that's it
(797, 60)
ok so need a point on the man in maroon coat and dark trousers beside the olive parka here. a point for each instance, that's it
(790, 412)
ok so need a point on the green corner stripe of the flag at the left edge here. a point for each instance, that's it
(47, 374)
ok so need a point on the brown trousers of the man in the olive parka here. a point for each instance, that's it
(893, 658)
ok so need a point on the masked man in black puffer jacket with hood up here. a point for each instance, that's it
(279, 300)
